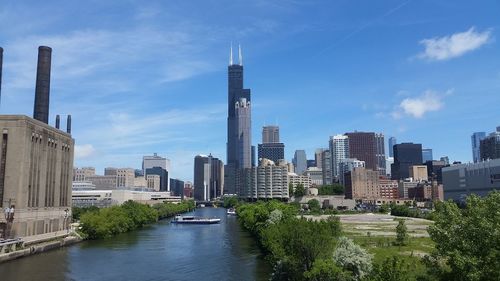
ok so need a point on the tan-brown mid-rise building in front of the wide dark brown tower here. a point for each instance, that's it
(362, 184)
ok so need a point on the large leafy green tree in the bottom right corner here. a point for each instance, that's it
(467, 240)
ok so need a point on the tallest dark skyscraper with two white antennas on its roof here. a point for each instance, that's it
(239, 148)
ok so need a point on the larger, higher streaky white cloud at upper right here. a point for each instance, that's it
(455, 45)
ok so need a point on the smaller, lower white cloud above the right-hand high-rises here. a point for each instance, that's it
(417, 107)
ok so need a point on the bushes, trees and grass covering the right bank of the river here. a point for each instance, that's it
(463, 244)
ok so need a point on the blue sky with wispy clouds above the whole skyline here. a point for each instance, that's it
(150, 76)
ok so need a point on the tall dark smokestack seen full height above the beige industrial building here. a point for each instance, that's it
(42, 90)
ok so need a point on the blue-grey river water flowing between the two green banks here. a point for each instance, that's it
(162, 251)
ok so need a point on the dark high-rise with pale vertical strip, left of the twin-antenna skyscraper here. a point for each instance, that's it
(208, 177)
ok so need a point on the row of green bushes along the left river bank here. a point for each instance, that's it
(102, 223)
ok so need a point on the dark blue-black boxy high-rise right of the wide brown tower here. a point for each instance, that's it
(405, 156)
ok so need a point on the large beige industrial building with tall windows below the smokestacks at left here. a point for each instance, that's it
(36, 166)
